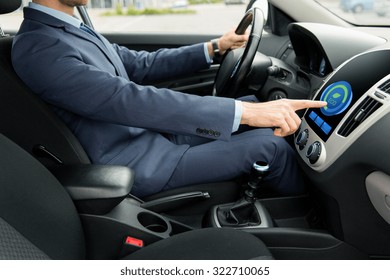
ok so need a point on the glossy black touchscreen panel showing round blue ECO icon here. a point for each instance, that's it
(344, 88)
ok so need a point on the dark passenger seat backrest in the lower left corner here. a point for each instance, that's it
(37, 216)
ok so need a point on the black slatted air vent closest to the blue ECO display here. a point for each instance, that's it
(362, 112)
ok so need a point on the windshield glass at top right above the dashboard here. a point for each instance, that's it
(360, 12)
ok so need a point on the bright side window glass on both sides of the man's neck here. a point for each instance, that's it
(156, 16)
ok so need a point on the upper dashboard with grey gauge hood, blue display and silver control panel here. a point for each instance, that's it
(352, 67)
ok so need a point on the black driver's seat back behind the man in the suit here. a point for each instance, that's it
(29, 122)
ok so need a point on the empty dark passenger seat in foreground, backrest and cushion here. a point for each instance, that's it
(38, 220)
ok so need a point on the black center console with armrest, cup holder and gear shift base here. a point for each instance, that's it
(117, 224)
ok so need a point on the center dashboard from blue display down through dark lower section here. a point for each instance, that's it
(343, 150)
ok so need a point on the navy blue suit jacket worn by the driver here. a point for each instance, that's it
(100, 91)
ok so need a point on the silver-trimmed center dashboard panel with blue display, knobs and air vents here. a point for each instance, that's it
(357, 98)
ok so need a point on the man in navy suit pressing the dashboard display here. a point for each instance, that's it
(100, 90)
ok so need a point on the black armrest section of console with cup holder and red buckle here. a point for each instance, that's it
(115, 223)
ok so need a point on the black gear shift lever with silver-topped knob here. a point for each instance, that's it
(260, 169)
